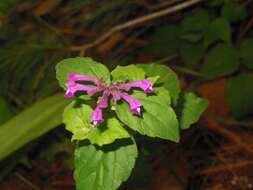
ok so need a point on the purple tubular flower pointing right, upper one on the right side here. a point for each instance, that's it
(145, 85)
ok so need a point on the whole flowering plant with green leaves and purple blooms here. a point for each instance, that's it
(108, 109)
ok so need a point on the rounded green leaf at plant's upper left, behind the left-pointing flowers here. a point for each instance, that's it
(81, 65)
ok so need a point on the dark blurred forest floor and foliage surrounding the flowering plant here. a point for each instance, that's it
(209, 45)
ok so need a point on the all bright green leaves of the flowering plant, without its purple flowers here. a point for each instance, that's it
(102, 163)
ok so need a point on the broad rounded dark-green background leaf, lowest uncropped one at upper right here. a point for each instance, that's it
(221, 60)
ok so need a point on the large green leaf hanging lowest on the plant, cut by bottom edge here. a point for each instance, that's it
(104, 168)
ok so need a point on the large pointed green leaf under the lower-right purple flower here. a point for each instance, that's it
(157, 120)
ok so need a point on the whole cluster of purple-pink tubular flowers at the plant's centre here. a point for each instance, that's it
(117, 91)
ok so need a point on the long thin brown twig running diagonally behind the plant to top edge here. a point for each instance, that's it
(134, 22)
